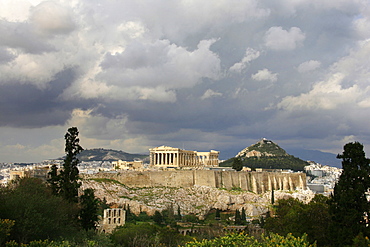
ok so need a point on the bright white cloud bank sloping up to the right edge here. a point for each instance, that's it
(346, 84)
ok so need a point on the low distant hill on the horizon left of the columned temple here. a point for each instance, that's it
(100, 154)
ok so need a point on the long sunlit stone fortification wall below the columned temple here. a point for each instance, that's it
(257, 182)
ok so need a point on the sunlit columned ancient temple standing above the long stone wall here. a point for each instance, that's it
(165, 156)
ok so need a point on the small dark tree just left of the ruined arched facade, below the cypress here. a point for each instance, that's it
(89, 209)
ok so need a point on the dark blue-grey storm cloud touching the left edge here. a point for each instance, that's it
(29, 106)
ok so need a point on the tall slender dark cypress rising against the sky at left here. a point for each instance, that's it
(69, 183)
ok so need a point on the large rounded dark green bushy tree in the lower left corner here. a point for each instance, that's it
(36, 212)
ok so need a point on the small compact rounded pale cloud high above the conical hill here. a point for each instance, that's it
(276, 38)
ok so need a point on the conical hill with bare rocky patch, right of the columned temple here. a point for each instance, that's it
(268, 155)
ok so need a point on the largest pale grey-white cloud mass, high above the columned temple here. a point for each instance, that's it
(150, 71)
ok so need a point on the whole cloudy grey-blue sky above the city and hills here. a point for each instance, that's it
(199, 75)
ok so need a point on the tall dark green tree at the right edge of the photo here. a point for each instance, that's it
(348, 205)
